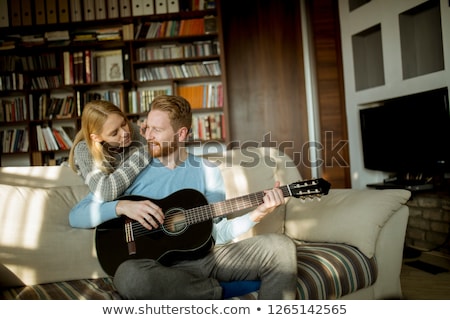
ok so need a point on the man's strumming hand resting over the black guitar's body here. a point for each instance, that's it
(145, 212)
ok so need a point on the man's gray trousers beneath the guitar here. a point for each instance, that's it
(270, 258)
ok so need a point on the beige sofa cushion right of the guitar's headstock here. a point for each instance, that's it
(350, 216)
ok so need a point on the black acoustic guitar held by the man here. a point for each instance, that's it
(186, 231)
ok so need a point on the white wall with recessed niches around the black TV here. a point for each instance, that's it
(384, 12)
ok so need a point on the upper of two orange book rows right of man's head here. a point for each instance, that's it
(203, 96)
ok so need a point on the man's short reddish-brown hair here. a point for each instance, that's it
(178, 109)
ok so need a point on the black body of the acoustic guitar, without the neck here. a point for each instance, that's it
(167, 244)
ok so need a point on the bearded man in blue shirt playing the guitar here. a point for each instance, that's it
(268, 258)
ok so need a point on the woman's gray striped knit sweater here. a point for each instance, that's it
(127, 164)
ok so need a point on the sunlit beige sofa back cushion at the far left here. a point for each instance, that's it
(37, 244)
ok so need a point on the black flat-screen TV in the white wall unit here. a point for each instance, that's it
(410, 134)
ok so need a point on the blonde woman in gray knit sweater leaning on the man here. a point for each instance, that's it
(108, 151)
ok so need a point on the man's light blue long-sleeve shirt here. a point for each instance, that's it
(157, 182)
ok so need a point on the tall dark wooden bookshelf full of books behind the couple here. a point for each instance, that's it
(57, 58)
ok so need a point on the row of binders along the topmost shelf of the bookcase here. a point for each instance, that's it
(29, 12)
